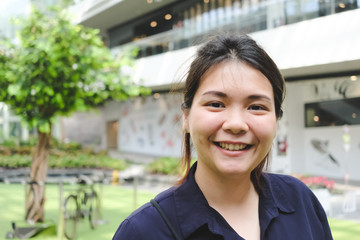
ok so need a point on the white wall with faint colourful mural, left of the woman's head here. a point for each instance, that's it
(151, 125)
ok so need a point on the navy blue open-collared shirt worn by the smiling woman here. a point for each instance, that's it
(287, 210)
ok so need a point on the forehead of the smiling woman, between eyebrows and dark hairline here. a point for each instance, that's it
(234, 76)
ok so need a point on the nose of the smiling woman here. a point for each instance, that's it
(235, 122)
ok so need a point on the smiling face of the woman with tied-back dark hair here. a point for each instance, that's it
(232, 121)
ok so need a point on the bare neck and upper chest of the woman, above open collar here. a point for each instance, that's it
(235, 198)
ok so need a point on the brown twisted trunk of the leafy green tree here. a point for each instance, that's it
(35, 189)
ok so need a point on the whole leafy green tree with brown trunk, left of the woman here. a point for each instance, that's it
(57, 68)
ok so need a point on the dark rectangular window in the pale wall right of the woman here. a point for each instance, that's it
(333, 113)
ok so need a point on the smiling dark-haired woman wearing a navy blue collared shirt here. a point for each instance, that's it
(232, 101)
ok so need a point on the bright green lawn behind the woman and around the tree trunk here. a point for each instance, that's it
(117, 204)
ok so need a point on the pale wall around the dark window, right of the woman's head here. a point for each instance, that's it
(305, 157)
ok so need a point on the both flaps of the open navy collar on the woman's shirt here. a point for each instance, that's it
(193, 210)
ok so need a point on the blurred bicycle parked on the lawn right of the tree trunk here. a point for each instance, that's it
(83, 203)
